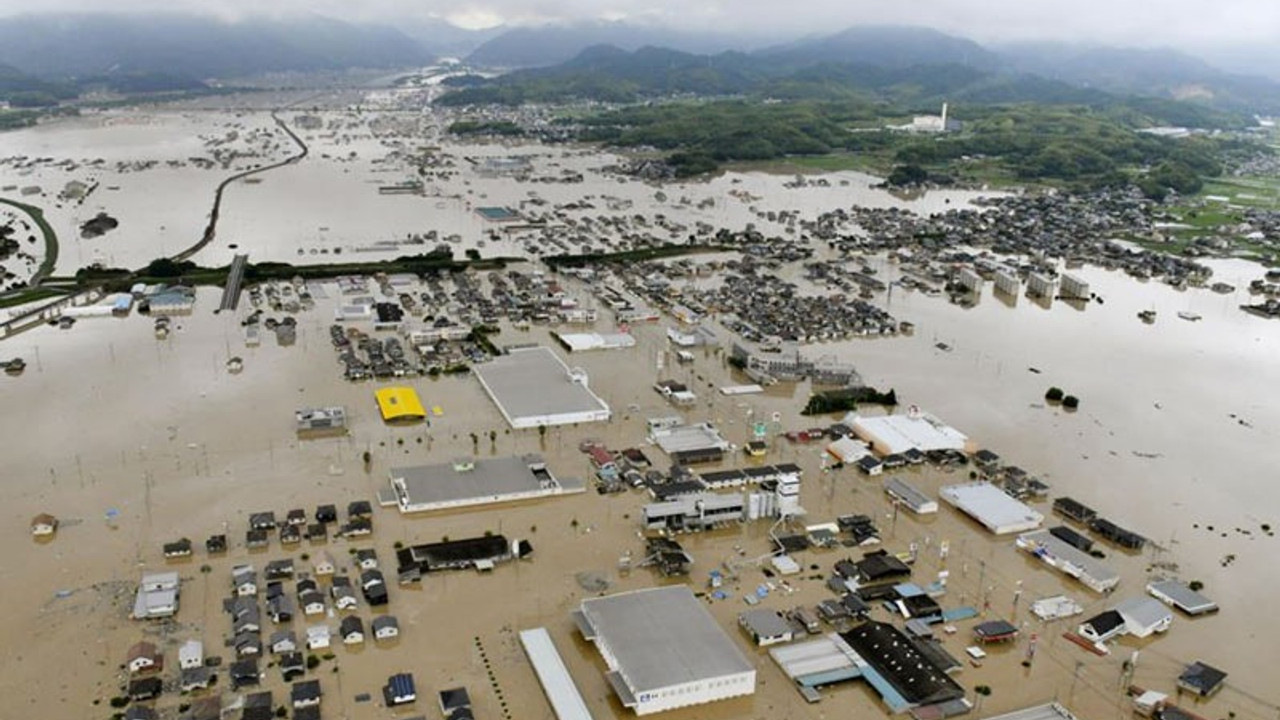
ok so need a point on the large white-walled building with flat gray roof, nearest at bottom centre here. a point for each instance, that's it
(664, 650)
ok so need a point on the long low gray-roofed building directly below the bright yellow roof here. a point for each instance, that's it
(491, 480)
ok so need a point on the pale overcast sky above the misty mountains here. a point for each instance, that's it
(1186, 24)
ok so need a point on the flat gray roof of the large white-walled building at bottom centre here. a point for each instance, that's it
(661, 637)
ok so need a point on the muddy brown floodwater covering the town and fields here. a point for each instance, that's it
(1176, 435)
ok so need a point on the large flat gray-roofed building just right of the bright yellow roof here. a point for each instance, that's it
(533, 386)
